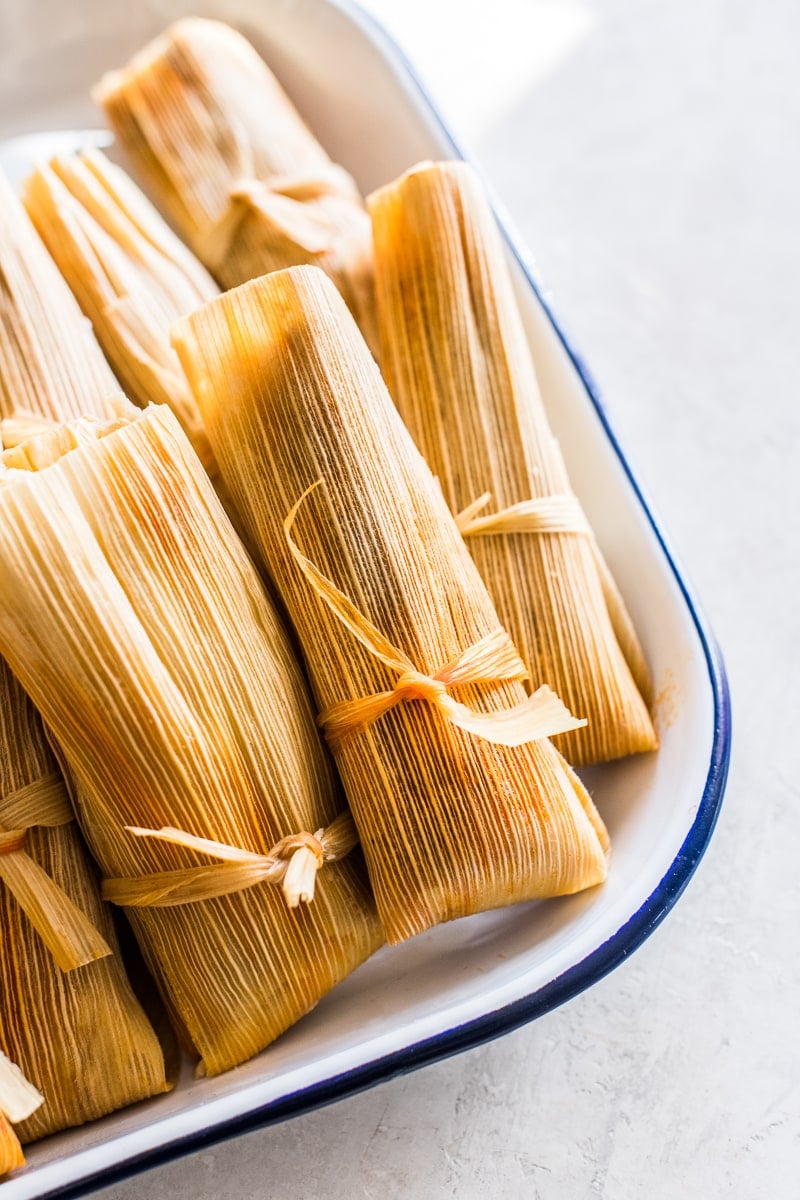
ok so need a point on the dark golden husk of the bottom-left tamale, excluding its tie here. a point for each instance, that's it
(81, 1037)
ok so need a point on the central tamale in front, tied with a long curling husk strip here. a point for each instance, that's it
(390, 614)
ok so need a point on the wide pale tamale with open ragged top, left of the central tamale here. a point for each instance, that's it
(137, 623)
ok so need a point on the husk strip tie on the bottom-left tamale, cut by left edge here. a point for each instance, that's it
(68, 933)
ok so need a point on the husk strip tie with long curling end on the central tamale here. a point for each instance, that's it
(494, 659)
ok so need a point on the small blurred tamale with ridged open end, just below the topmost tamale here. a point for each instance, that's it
(129, 272)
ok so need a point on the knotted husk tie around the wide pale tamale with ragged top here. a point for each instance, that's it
(293, 863)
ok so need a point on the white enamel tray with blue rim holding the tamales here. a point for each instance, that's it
(477, 979)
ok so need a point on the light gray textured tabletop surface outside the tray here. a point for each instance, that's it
(648, 154)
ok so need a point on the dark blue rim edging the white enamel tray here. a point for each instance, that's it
(604, 959)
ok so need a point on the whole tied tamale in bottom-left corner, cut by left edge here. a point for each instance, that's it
(68, 1017)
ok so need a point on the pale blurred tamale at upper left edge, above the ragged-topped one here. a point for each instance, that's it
(51, 365)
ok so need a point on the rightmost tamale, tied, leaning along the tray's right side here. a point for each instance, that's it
(460, 369)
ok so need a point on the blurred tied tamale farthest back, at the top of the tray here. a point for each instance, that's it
(230, 161)
